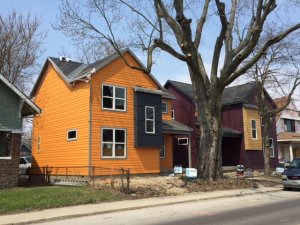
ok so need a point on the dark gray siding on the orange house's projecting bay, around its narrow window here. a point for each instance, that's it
(143, 139)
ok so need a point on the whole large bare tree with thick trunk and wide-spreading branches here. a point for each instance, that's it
(178, 28)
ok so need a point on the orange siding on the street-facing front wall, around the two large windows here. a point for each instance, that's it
(139, 160)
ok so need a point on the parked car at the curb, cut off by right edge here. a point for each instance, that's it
(291, 175)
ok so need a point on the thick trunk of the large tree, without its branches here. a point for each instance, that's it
(208, 109)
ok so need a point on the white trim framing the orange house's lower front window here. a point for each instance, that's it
(114, 144)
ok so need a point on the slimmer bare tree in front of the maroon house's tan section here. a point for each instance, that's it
(278, 72)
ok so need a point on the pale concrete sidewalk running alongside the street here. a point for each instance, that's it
(92, 209)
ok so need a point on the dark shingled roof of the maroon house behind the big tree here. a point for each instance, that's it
(231, 95)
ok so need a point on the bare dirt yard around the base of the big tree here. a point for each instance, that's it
(159, 186)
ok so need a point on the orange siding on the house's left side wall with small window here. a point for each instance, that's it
(63, 108)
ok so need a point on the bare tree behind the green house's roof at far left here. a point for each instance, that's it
(20, 47)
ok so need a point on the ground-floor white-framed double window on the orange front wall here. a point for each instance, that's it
(113, 143)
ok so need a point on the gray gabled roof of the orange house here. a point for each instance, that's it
(72, 71)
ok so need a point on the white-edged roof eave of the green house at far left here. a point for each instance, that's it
(29, 107)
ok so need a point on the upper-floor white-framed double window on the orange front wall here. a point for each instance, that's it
(113, 97)
